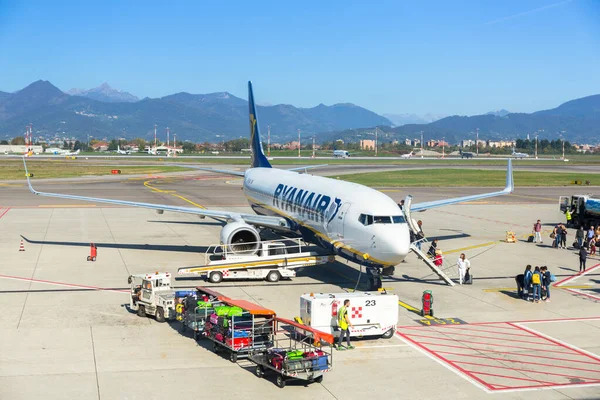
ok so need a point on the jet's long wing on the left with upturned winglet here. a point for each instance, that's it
(261, 220)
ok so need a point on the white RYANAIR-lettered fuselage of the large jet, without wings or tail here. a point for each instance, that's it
(352, 220)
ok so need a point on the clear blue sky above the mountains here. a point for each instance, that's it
(460, 57)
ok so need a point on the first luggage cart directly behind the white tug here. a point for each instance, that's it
(197, 306)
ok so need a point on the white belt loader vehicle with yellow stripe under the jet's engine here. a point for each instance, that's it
(269, 260)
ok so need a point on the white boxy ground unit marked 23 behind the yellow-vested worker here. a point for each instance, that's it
(371, 313)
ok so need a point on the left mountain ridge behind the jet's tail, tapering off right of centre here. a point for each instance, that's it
(196, 117)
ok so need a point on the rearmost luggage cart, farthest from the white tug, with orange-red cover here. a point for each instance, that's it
(299, 352)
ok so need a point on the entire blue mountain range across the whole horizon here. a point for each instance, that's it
(105, 112)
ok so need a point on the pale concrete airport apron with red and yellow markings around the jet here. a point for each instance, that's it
(65, 331)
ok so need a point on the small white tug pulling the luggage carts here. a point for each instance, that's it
(151, 294)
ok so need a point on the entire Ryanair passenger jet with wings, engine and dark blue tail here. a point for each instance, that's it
(353, 221)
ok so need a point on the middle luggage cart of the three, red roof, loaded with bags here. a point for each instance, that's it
(239, 329)
